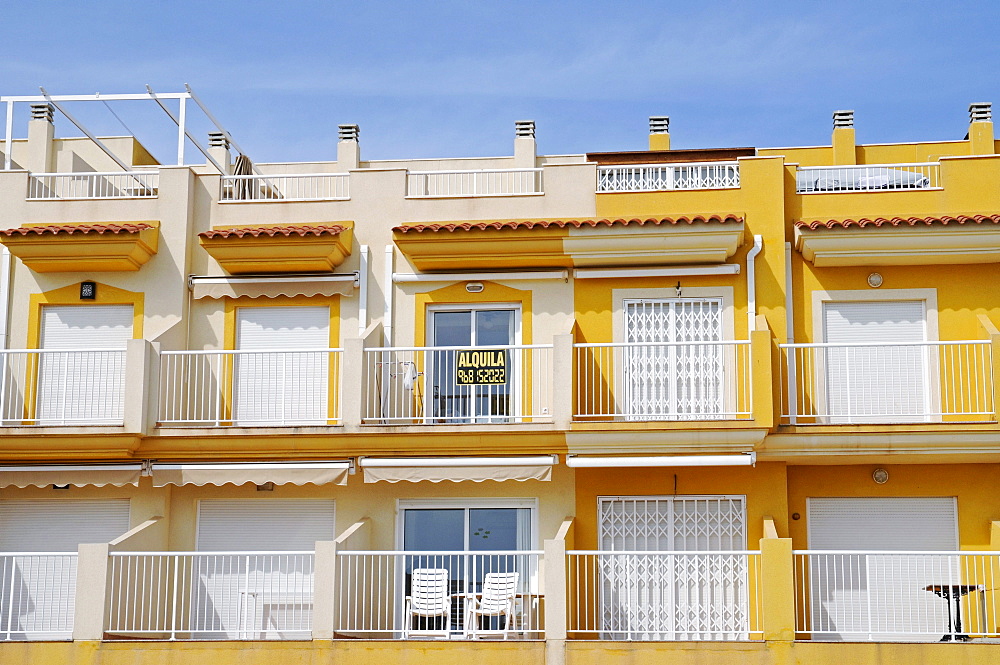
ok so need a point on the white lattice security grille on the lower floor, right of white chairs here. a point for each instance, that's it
(676, 576)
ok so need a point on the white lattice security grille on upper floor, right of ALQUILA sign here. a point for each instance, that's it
(668, 374)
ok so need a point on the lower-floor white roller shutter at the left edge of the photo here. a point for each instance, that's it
(39, 590)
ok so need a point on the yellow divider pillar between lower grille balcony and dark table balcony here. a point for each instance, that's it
(777, 579)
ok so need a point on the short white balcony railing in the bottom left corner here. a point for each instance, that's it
(37, 596)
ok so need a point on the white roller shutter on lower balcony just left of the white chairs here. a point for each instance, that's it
(248, 596)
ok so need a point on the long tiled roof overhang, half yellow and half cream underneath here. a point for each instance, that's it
(543, 243)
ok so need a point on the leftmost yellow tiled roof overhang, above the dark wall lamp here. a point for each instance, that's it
(103, 247)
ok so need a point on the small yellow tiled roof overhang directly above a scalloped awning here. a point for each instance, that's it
(283, 248)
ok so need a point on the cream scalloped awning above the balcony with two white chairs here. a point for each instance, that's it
(457, 469)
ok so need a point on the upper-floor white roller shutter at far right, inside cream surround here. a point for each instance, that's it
(877, 383)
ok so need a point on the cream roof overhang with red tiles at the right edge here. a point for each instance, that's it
(875, 241)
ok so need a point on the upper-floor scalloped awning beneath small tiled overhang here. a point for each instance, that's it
(272, 286)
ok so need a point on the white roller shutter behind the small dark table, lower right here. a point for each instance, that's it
(859, 596)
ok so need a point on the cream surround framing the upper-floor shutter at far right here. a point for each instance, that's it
(820, 298)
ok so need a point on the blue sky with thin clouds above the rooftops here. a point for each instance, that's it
(442, 79)
